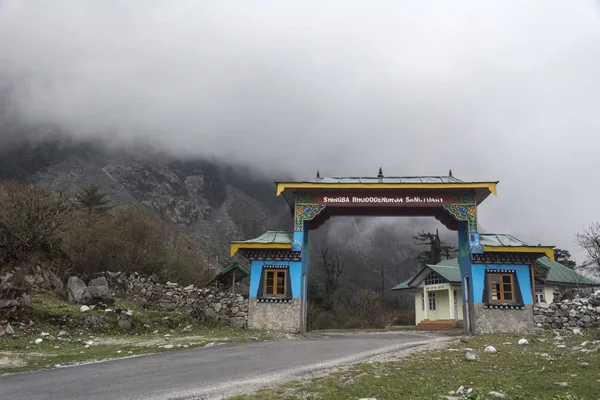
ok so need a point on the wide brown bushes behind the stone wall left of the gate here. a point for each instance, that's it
(131, 239)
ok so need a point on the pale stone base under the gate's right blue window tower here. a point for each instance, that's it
(492, 320)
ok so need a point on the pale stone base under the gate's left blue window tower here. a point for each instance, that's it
(283, 317)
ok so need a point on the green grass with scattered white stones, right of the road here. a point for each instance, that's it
(519, 371)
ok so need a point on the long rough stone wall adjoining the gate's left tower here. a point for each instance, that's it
(200, 303)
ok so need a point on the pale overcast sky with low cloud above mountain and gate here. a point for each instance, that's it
(496, 90)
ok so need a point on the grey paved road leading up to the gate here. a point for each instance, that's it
(201, 373)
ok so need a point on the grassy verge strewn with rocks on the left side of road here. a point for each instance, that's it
(98, 330)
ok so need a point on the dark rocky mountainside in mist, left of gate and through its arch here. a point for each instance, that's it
(216, 202)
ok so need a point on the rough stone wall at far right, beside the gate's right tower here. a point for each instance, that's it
(579, 312)
